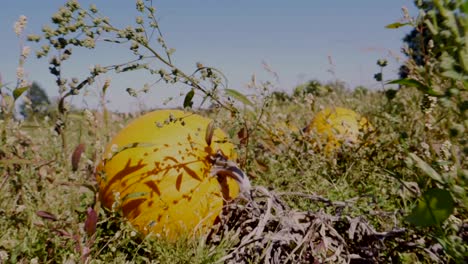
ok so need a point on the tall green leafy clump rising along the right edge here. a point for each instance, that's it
(437, 65)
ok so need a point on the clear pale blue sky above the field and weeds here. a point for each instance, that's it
(295, 38)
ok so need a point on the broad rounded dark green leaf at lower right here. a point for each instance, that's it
(434, 207)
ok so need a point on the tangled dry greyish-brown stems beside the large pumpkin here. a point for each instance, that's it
(269, 231)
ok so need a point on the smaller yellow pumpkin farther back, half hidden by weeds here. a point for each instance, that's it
(336, 125)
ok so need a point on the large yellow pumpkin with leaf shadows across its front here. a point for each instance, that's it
(159, 172)
